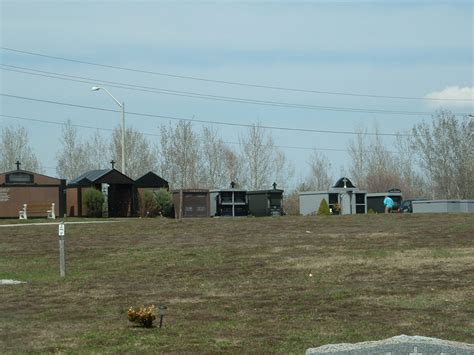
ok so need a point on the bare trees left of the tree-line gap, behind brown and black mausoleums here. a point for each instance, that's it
(184, 156)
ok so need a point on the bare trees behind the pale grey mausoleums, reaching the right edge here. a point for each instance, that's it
(434, 160)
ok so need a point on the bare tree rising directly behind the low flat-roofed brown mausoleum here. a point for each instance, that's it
(180, 155)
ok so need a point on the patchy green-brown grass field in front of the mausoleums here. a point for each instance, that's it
(238, 285)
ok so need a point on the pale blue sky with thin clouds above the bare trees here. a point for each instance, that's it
(352, 65)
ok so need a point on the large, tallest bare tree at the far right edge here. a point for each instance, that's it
(445, 153)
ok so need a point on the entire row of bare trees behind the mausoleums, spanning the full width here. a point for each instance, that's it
(436, 160)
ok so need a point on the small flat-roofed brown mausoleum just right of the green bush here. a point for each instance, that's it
(191, 203)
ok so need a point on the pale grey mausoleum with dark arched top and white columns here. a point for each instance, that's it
(342, 198)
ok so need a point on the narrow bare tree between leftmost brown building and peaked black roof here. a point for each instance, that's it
(73, 159)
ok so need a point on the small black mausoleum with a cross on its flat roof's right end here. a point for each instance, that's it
(265, 202)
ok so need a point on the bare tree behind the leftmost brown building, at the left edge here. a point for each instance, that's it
(14, 146)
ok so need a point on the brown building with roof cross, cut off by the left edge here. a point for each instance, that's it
(37, 191)
